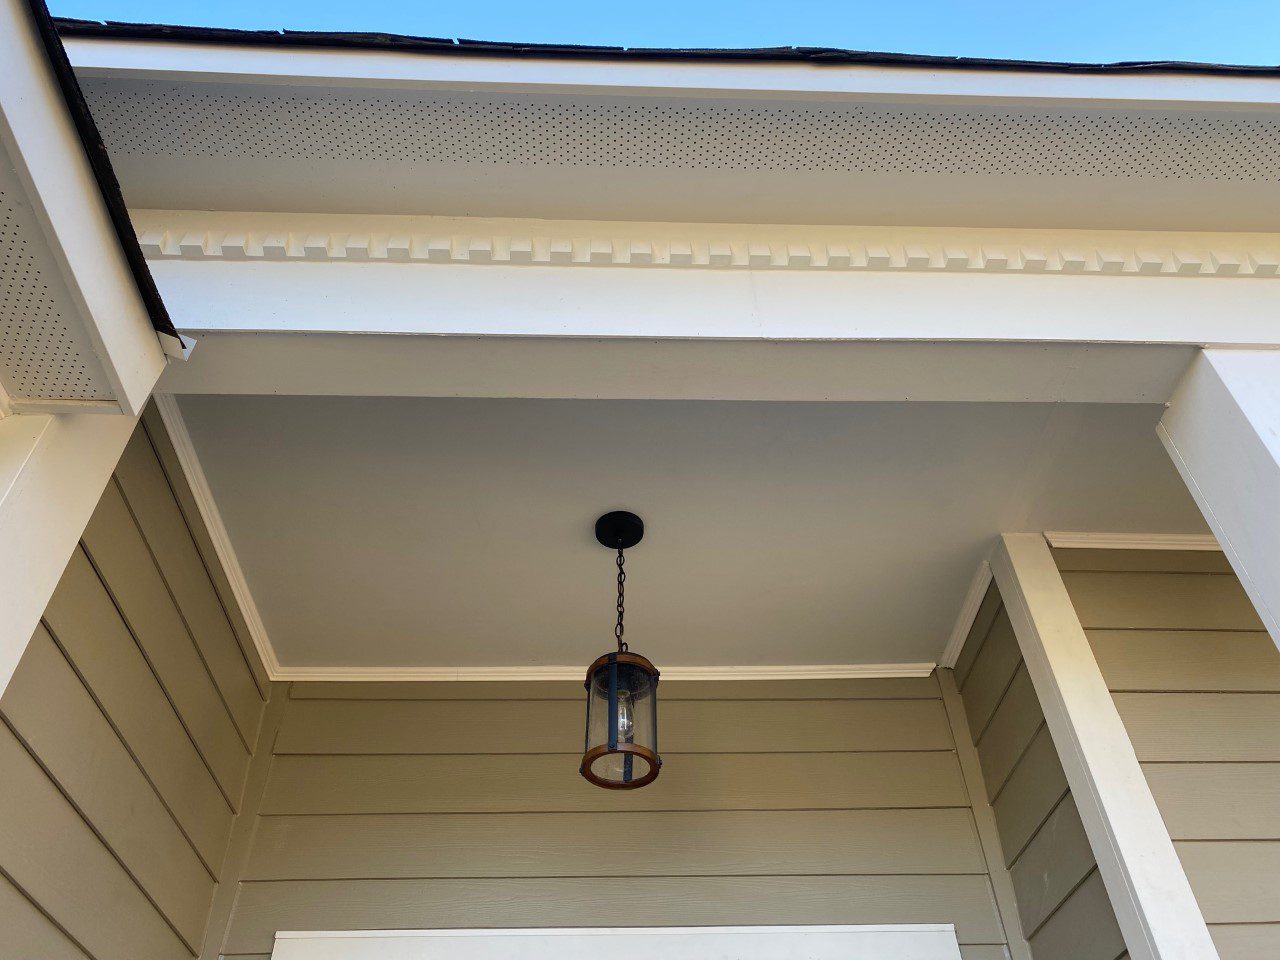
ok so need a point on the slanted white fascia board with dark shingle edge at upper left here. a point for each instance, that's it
(49, 158)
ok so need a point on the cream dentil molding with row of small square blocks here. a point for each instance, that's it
(415, 240)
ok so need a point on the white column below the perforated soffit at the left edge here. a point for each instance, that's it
(53, 472)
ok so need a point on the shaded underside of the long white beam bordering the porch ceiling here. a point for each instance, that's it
(374, 365)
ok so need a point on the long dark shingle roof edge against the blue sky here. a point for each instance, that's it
(112, 30)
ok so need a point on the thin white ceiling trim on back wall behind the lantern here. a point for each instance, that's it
(802, 671)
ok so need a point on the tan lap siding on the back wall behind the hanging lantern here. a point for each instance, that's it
(405, 806)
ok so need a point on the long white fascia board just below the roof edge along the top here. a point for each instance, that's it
(765, 81)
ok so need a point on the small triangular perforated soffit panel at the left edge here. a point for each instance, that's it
(45, 351)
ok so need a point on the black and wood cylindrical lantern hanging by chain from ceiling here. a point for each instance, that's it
(621, 751)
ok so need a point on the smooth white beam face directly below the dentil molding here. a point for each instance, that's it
(623, 301)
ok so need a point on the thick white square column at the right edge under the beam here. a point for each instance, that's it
(1223, 432)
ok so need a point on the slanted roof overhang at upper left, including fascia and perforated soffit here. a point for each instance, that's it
(80, 317)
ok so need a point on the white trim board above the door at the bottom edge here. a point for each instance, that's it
(925, 941)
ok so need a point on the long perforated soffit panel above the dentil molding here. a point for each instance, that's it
(241, 147)
